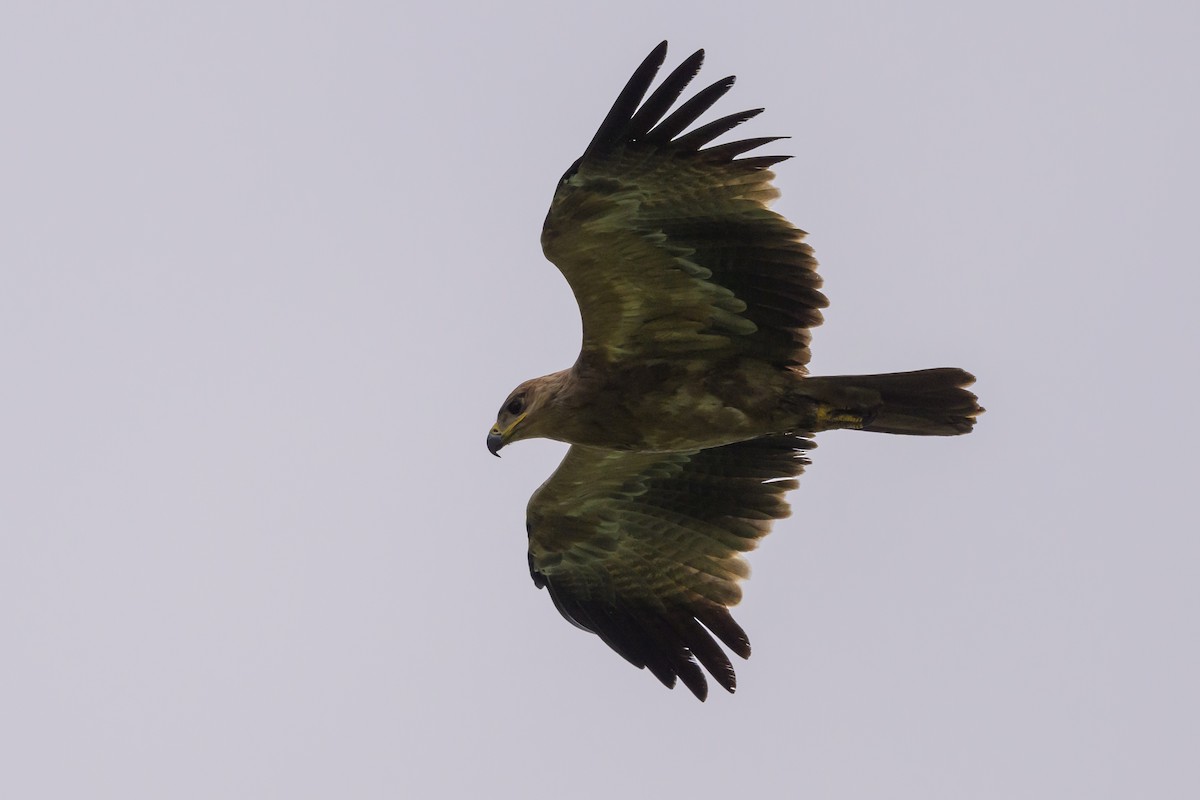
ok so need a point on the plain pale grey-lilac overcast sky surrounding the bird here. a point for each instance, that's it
(269, 269)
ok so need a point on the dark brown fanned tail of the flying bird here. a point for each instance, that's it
(923, 404)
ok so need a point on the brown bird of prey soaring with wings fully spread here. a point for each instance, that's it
(689, 408)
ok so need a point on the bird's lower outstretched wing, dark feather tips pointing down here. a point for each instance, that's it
(645, 550)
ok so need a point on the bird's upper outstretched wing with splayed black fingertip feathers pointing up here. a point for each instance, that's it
(669, 244)
